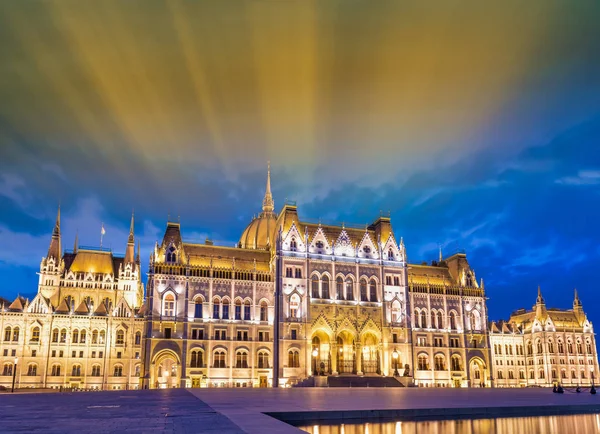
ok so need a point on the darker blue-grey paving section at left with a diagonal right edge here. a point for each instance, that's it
(144, 411)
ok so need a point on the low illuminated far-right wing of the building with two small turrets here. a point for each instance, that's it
(542, 347)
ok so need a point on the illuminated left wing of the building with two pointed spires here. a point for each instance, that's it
(83, 329)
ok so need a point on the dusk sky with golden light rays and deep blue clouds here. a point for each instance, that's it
(476, 125)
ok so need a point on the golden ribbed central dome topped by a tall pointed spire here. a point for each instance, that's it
(260, 233)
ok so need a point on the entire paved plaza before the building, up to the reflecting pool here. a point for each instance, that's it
(228, 411)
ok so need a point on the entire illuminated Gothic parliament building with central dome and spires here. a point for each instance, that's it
(293, 303)
